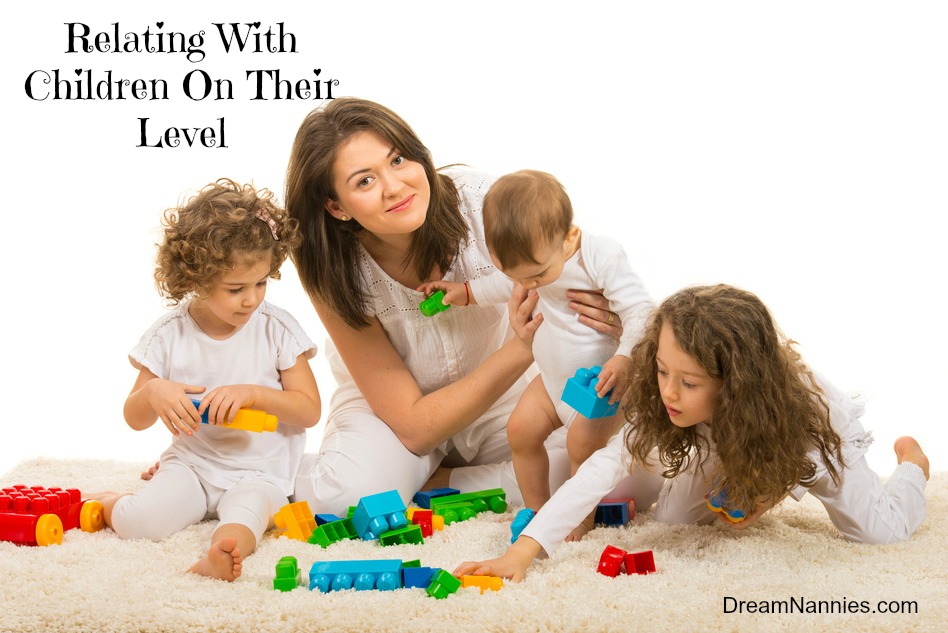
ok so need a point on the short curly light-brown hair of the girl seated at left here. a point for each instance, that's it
(206, 236)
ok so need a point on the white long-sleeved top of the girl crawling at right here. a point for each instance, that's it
(603, 471)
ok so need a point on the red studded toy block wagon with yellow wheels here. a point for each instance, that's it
(39, 516)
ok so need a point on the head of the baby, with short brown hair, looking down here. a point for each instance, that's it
(528, 224)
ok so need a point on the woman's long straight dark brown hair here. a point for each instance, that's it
(327, 257)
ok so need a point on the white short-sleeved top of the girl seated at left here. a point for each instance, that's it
(175, 348)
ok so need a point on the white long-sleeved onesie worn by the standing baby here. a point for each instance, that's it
(563, 344)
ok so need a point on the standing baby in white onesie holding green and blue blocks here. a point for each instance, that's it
(528, 226)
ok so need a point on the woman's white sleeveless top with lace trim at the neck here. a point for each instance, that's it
(441, 349)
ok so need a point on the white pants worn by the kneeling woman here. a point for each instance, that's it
(360, 455)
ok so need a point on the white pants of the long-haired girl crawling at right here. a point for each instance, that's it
(861, 507)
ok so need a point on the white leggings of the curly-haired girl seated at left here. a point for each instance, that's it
(177, 497)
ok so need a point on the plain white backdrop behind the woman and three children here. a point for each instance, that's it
(795, 149)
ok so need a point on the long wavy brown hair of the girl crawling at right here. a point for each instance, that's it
(769, 413)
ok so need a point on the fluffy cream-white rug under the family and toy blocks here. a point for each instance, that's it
(97, 582)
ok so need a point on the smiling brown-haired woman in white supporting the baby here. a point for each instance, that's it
(415, 393)
